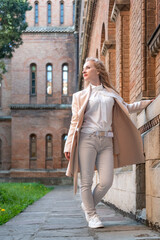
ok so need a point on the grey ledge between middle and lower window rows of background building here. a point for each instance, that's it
(40, 106)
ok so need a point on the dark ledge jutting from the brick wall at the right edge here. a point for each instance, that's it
(154, 42)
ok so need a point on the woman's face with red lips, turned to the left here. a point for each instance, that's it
(90, 73)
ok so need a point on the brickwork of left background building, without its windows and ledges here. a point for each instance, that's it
(41, 49)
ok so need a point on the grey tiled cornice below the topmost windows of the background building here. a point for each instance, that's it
(49, 29)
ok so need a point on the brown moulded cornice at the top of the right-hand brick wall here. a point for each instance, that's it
(119, 5)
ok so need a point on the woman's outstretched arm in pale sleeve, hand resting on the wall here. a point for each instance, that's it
(137, 106)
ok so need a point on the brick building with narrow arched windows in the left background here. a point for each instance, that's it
(36, 92)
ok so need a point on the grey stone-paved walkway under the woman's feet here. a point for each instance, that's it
(58, 215)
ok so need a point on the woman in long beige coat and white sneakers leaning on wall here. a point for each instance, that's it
(102, 134)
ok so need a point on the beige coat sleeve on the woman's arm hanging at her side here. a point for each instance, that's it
(74, 121)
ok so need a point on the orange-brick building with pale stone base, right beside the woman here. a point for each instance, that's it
(125, 35)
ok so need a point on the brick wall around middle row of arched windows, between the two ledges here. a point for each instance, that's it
(42, 49)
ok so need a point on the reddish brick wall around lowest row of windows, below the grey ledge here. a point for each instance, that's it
(40, 123)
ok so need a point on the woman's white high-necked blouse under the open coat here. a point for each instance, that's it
(98, 114)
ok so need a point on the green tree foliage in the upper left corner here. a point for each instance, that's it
(12, 24)
